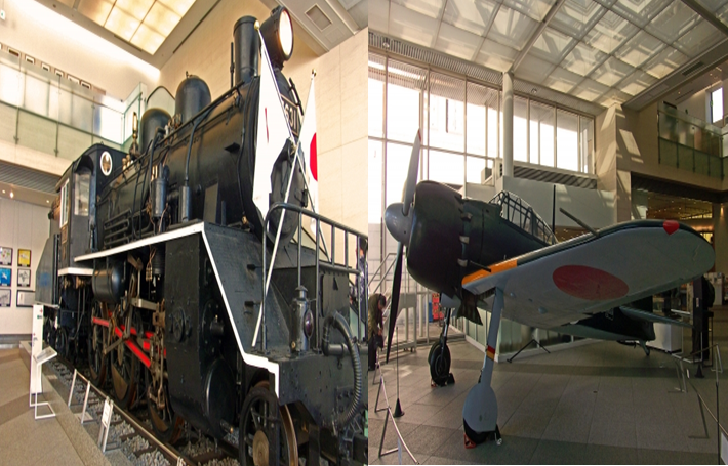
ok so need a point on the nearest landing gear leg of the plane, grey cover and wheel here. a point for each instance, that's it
(480, 411)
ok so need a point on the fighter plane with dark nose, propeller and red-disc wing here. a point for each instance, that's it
(501, 251)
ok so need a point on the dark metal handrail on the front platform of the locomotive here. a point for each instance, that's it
(330, 261)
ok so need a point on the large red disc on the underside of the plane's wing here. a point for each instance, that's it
(589, 283)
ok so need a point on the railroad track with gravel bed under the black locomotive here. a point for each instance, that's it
(131, 432)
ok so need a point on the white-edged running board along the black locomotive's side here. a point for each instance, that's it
(221, 254)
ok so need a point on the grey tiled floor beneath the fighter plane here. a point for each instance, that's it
(597, 403)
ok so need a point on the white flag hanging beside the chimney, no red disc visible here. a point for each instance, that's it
(273, 130)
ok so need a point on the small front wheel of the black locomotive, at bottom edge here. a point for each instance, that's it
(258, 423)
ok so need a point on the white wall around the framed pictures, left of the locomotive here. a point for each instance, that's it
(22, 226)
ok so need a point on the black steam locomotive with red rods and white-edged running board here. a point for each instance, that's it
(155, 271)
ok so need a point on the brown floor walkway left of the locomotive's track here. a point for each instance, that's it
(26, 441)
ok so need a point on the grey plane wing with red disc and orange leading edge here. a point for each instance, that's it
(558, 284)
